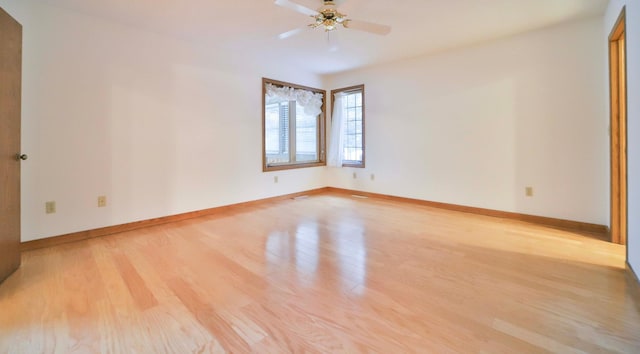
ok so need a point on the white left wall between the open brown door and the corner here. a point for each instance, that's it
(157, 125)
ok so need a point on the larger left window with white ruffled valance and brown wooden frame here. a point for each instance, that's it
(293, 126)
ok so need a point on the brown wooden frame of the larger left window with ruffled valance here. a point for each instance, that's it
(321, 134)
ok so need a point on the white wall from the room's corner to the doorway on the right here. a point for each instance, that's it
(475, 126)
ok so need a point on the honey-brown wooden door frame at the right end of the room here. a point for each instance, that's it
(618, 128)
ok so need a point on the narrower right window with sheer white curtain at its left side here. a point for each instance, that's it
(348, 127)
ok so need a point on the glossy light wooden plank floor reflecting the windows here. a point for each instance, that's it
(327, 274)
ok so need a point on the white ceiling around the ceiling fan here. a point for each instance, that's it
(249, 28)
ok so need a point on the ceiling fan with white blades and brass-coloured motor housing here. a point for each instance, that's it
(329, 18)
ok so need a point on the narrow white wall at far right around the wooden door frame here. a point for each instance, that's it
(633, 117)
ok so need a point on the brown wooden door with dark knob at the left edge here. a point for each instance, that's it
(10, 87)
